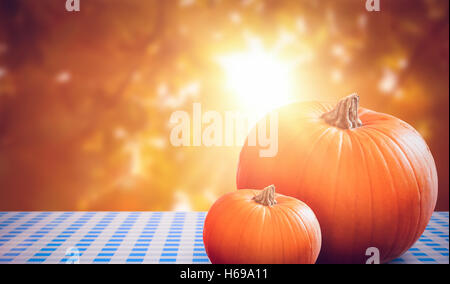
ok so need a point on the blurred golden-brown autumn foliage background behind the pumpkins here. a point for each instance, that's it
(86, 97)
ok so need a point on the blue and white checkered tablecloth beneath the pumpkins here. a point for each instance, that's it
(144, 237)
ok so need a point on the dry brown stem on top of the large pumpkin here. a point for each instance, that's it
(345, 114)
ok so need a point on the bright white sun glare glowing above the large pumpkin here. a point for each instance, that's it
(260, 79)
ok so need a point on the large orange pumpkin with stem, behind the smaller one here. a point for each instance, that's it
(369, 177)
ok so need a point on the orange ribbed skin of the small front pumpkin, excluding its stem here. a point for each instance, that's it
(238, 230)
